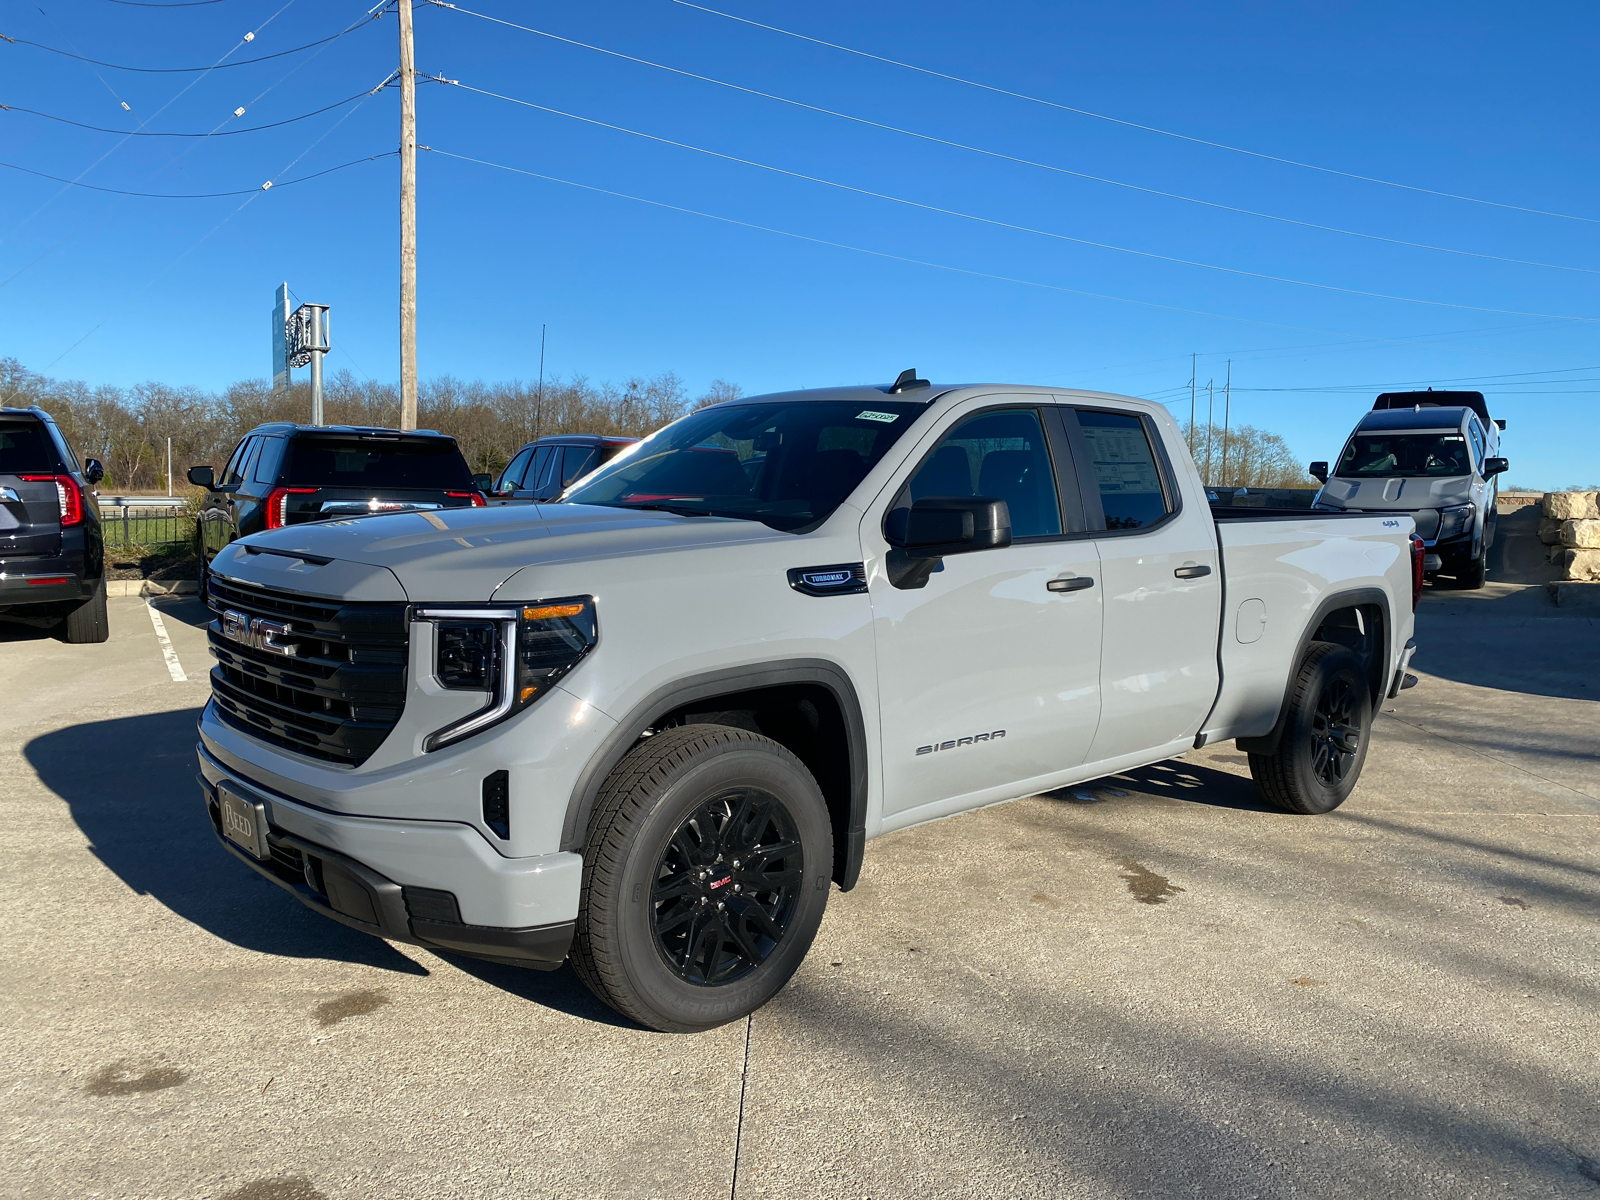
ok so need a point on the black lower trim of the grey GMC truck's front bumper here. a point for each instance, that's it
(356, 895)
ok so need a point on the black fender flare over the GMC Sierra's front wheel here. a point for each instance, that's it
(690, 689)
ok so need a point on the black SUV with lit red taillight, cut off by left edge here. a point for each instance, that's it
(52, 553)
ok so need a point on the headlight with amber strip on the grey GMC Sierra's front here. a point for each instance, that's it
(516, 654)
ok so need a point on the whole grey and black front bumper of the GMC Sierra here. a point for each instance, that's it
(418, 882)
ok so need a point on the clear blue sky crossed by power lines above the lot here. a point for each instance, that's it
(1484, 102)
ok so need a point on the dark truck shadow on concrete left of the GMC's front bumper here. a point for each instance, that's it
(130, 785)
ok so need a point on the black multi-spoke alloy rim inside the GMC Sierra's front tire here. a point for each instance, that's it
(727, 887)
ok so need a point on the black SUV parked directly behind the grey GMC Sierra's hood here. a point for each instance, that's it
(284, 474)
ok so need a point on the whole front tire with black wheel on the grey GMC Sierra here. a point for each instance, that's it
(670, 820)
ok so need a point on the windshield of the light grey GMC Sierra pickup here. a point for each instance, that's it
(788, 466)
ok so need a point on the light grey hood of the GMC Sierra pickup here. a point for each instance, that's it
(466, 554)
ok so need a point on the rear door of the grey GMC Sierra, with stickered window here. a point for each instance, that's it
(1162, 583)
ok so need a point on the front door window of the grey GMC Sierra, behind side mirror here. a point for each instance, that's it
(1001, 455)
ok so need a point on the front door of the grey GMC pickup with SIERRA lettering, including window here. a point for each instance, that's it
(990, 674)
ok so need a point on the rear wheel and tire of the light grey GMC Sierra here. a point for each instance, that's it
(1313, 774)
